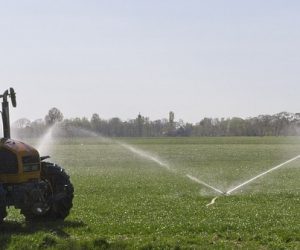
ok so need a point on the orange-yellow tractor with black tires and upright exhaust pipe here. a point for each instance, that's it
(40, 189)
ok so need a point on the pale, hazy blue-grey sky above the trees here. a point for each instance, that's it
(119, 58)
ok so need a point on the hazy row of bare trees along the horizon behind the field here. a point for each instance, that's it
(281, 124)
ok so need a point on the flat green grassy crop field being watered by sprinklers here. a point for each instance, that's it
(135, 194)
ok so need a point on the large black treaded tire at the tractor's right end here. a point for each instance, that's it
(60, 195)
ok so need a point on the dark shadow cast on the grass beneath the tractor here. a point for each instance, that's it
(13, 228)
